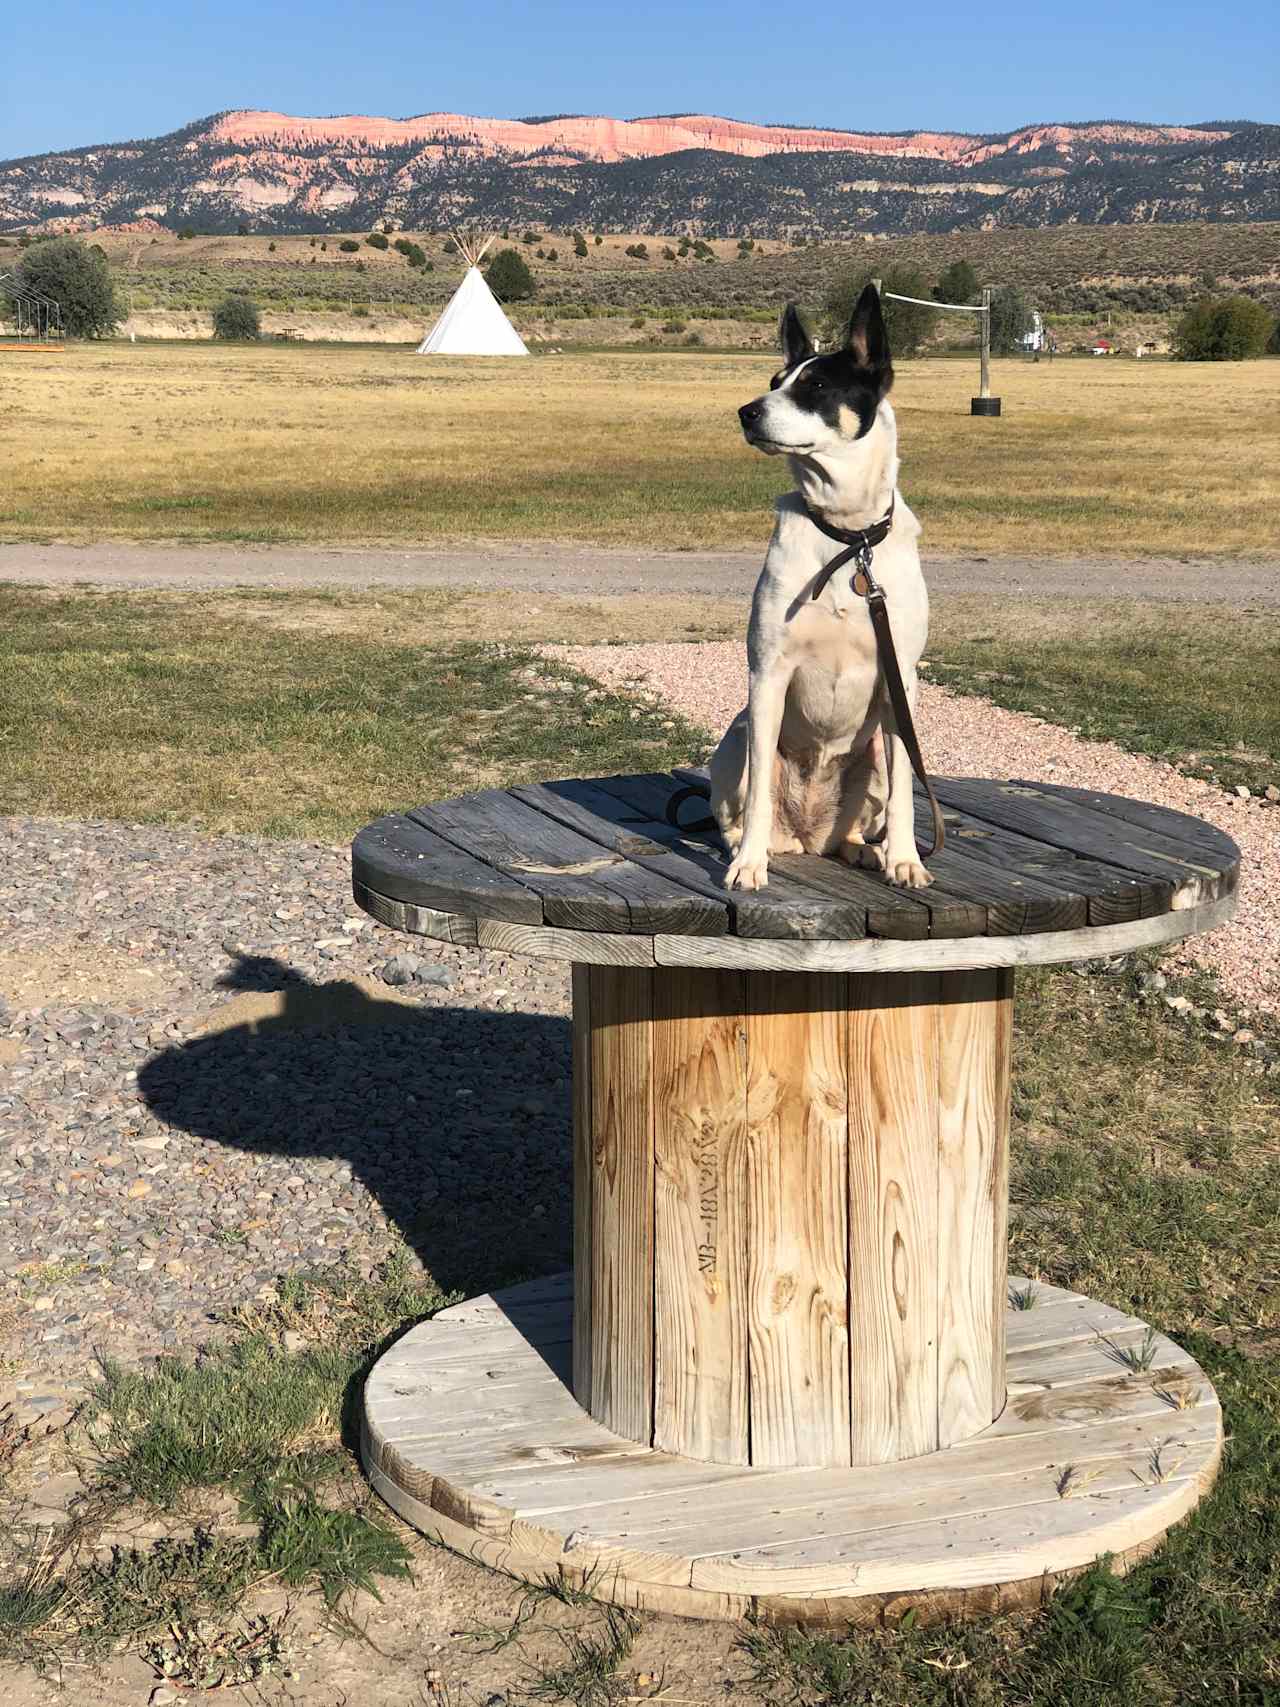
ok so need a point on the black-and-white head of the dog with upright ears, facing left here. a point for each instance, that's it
(822, 404)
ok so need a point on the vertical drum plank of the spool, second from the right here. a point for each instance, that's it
(893, 1046)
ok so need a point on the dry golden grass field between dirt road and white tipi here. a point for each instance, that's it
(269, 443)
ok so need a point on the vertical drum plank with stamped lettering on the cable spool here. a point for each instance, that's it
(701, 1392)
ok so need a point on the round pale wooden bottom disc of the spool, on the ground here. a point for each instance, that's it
(474, 1436)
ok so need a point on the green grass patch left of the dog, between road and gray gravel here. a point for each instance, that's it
(202, 713)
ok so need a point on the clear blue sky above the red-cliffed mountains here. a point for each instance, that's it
(93, 71)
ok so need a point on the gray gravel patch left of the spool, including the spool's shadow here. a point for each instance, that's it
(185, 1116)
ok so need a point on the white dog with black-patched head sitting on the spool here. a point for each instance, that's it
(815, 764)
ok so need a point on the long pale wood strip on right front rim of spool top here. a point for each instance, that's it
(881, 955)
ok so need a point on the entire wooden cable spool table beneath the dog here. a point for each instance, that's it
(789, 1372)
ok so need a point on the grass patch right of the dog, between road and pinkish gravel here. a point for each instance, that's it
(1192, 685)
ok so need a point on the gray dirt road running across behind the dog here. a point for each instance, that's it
(574, 569)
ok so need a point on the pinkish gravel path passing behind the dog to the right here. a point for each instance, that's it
(975, 738)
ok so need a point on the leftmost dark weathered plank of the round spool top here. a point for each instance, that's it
(409, 863)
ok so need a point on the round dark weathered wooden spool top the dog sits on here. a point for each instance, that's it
(593, 871)
